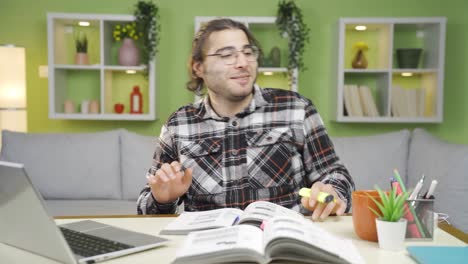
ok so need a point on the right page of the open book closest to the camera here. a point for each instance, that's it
(315, 242)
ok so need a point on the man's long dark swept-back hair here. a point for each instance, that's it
(196, 83)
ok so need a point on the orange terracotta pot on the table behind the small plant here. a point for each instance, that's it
(363, 218)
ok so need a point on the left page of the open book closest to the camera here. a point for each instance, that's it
(240, 243)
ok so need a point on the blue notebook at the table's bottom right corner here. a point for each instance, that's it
(439, 254)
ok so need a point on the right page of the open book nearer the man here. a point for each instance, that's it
(263, 210)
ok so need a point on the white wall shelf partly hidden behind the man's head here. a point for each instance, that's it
(266, 32)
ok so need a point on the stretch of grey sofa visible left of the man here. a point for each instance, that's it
(85, 173)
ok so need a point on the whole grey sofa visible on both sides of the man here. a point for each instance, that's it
(102, 173)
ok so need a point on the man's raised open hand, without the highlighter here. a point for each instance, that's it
(170, 182)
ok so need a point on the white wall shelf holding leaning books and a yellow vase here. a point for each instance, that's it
(401, 93)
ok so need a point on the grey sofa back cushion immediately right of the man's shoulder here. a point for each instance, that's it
(371, 159)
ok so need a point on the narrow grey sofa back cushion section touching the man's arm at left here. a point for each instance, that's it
(137, 155)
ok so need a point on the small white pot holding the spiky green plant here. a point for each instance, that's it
(391, 235)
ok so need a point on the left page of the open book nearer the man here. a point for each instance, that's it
(191, 221)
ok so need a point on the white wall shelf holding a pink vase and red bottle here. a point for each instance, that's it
(101, 82)
